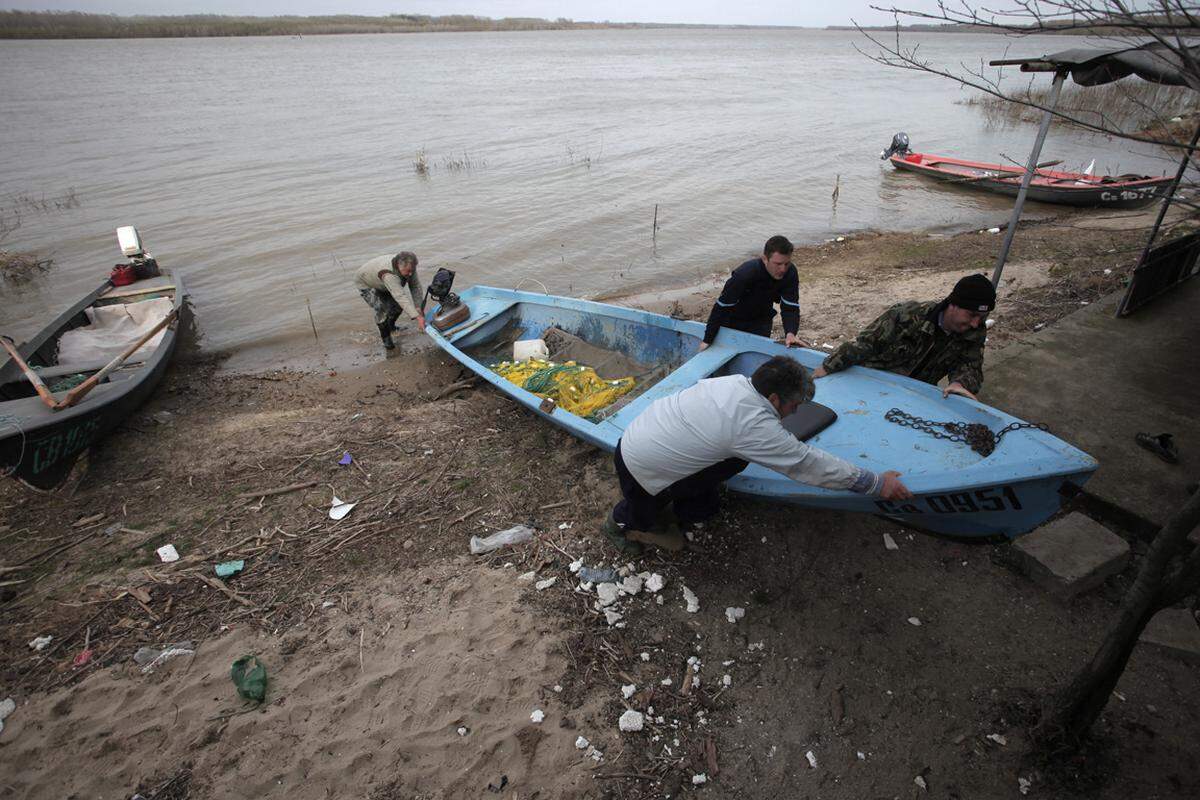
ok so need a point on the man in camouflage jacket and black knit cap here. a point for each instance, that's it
(927, 341)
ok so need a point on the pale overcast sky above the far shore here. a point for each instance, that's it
(812, 14)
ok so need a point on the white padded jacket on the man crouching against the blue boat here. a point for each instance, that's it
(727, 418)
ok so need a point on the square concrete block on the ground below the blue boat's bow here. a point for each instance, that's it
(1072, 555)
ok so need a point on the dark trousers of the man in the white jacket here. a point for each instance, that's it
(695, 497)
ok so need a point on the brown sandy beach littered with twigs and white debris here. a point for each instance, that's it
(401, 666)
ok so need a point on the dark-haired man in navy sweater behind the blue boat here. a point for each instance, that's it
(748, 300)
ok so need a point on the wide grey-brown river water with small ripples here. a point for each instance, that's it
(267, 170)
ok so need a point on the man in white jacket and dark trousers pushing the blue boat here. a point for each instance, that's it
(682, 448)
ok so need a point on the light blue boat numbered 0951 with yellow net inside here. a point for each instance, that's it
(957, 492)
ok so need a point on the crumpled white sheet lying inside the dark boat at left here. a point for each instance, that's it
(112, 330)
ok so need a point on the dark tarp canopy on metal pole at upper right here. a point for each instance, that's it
(1097, 67)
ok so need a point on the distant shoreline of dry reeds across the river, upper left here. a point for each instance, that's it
(73, 25)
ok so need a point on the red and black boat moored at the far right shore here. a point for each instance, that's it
(1046, 187)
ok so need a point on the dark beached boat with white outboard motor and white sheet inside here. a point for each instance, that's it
(40, 444)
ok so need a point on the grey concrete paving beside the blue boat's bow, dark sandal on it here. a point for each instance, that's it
(1097, 381)
